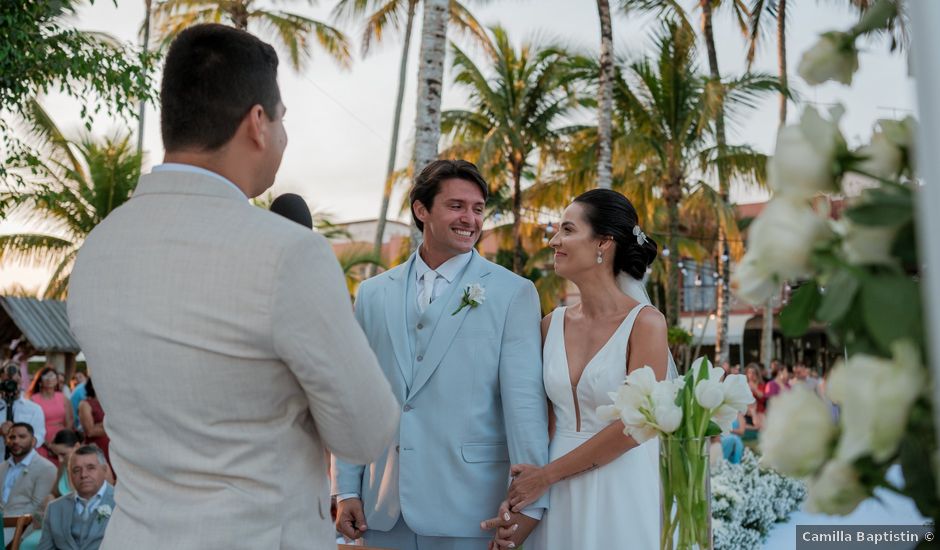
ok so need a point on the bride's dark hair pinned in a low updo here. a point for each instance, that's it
(610, 214)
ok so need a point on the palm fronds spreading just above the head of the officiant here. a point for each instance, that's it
(291, 31)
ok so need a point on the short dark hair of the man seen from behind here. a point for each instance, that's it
(213, 76)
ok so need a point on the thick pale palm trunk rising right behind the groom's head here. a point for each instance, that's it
(430, 85)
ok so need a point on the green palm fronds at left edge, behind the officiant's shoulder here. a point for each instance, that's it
(77, 185)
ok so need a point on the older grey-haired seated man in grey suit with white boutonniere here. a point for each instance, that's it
(77, 521)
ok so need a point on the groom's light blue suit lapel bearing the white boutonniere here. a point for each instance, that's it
(447, 324)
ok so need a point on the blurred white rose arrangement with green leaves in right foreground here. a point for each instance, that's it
(860, 277)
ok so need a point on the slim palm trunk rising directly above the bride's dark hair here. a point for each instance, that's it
(605, 98)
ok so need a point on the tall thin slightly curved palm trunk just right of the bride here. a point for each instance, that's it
(723, 299)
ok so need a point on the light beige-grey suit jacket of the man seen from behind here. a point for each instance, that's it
(225, 353)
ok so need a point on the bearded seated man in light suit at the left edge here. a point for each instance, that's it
(27, 477)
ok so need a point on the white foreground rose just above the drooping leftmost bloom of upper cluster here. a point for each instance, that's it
(783, 236)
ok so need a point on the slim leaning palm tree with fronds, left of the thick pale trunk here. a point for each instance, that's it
(381, 16)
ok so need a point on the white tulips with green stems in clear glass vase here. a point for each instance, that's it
(683, 413)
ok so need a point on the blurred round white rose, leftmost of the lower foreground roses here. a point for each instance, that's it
(797, 433)
